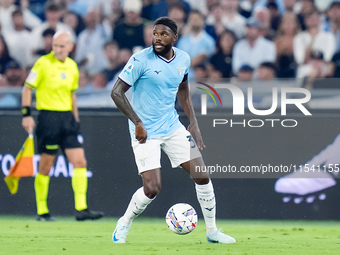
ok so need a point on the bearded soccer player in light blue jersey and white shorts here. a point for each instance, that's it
(156, 76)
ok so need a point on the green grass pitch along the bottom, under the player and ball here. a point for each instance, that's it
(23, 235)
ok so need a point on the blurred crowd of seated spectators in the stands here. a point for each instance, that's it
(242, 39)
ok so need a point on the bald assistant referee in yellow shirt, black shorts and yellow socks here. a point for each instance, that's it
(55, 78)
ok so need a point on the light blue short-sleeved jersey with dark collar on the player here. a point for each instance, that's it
(154, 83)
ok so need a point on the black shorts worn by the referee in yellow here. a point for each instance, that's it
(56, 130)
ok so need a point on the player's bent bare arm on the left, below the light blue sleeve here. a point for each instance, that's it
(123, 104)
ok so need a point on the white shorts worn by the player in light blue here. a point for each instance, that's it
(179, 146)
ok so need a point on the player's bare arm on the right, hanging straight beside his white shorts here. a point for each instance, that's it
(184, 99)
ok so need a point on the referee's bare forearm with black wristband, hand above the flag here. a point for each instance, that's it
(26, 100)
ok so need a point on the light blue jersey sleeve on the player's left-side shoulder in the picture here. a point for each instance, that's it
(132, 70)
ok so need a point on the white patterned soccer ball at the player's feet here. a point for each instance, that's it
(181, 218)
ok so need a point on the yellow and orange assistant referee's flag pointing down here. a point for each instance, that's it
(23, 165)
